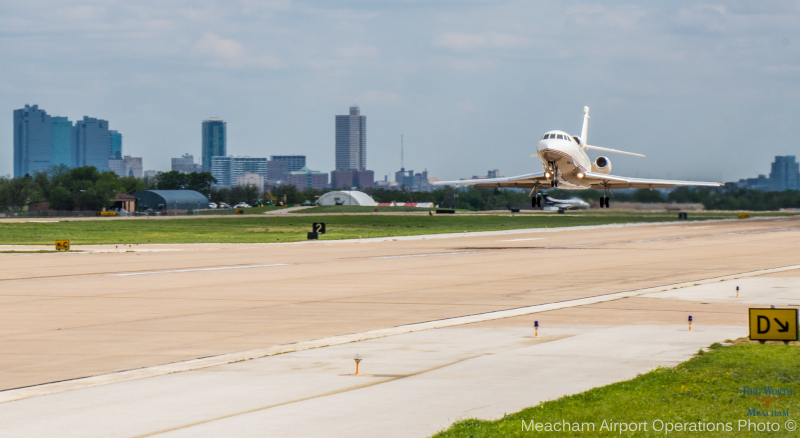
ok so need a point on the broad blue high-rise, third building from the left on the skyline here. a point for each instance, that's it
(90, 138)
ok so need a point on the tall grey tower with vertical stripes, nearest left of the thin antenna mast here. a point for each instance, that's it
(351, 141)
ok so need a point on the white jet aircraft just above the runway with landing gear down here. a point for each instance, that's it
(566, 164)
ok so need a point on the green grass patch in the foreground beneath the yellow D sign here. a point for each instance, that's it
(707, 388)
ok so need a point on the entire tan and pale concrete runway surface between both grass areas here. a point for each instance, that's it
(426, 361)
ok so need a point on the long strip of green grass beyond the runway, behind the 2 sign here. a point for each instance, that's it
(269, 228)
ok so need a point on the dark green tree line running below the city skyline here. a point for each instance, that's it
(87, 189)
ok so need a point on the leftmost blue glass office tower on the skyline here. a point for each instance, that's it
(32, 142)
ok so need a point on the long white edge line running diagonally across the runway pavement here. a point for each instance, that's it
(197, 364)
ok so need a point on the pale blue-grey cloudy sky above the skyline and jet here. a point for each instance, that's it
(705, 90)
